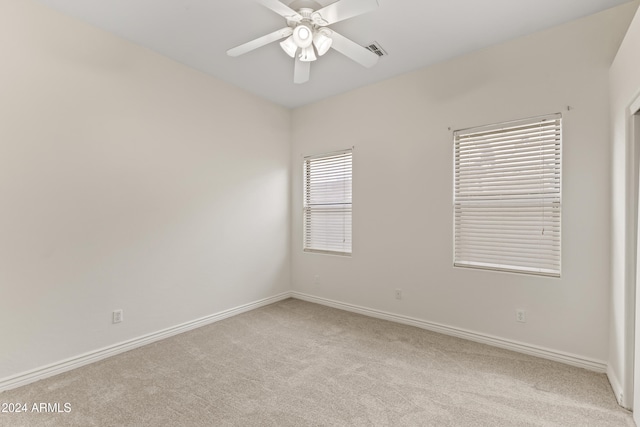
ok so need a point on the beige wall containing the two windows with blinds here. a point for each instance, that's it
(402, 226)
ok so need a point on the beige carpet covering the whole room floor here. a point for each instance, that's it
(297, 364)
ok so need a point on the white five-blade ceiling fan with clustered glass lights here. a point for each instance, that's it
(307, 36)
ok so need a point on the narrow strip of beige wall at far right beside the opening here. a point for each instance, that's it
(625, 88)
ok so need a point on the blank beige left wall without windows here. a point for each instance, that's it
(127, 181)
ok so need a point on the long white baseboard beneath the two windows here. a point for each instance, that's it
(545, 353)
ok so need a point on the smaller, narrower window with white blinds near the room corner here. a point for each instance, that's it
(327, 203)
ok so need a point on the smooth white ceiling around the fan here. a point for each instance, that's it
(415, 34)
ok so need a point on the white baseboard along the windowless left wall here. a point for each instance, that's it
(96, 355)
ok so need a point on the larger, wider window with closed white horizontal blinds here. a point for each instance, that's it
(507, 204)
